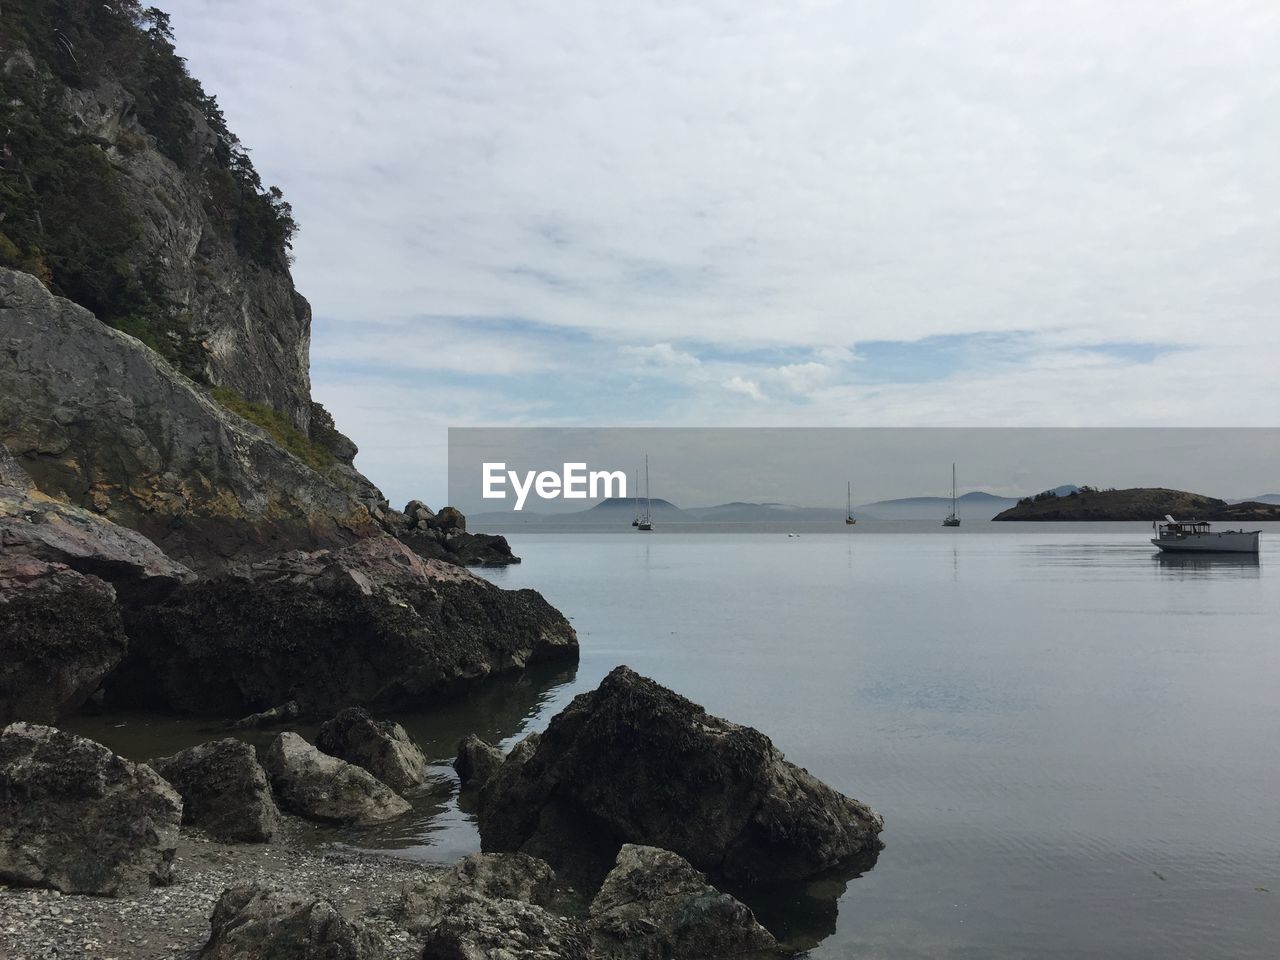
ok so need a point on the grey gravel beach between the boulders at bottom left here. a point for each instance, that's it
(172, 924)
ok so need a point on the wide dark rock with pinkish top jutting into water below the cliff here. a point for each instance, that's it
(369, 625)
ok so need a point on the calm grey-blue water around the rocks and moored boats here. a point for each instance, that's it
(1076, 744)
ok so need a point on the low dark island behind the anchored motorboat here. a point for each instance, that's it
(1136, 504)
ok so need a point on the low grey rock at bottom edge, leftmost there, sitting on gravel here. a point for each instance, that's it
(255, 924)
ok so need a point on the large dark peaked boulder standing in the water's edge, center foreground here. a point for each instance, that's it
(634, 762)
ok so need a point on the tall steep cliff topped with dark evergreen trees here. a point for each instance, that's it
(127, 194)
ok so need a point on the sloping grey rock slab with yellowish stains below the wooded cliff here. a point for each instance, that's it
(102, 422)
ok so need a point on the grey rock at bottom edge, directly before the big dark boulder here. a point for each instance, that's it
(653, 906)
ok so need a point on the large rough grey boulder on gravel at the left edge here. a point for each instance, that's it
(77, 819)
